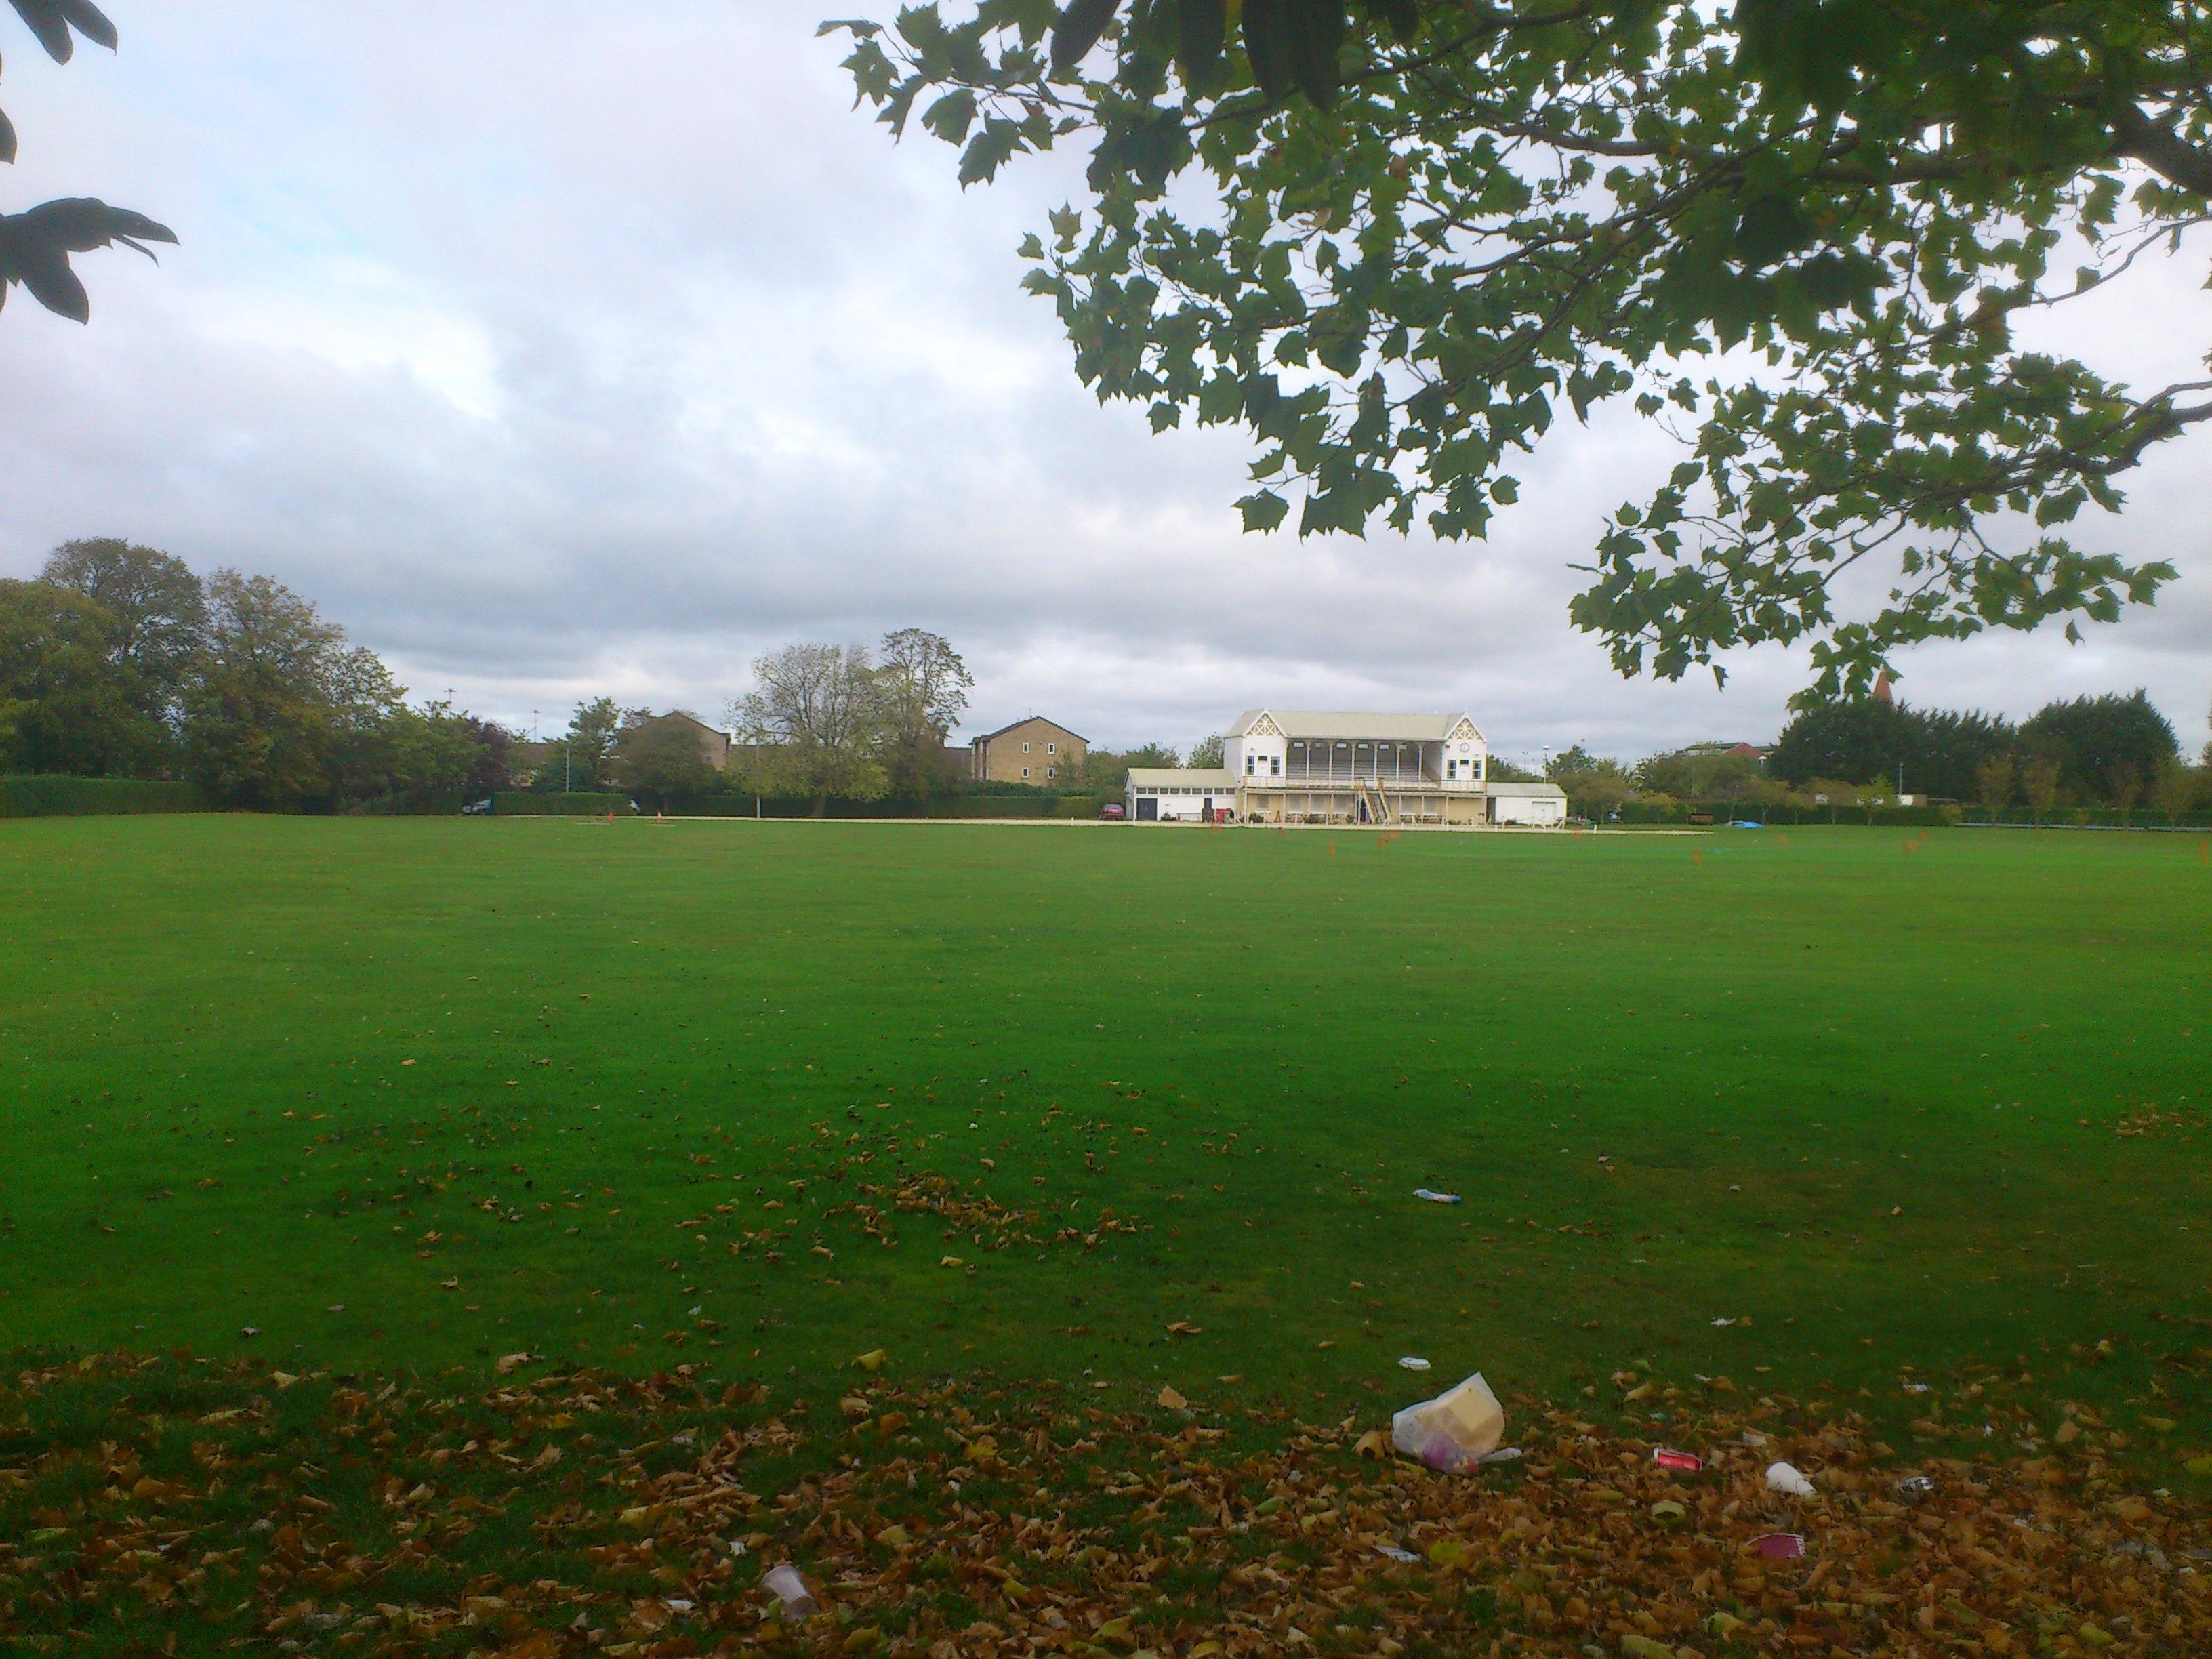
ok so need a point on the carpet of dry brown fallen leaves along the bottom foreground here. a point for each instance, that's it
(191, 1507)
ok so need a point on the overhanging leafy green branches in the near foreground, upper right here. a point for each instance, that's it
(1397, 242)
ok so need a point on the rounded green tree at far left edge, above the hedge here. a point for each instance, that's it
(63, 707)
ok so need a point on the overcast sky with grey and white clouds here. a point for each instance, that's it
(567, 348)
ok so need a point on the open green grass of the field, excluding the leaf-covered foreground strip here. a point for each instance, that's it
(1850, 1089)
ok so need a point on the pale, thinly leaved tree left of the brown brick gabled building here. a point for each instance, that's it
(817, 720)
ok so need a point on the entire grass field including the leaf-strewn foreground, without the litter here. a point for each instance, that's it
(1815, 1136)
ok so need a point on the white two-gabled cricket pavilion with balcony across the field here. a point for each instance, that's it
(1333, 766)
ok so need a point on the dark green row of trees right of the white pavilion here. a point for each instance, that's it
(2083, 753)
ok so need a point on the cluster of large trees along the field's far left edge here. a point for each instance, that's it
(123, 662)
